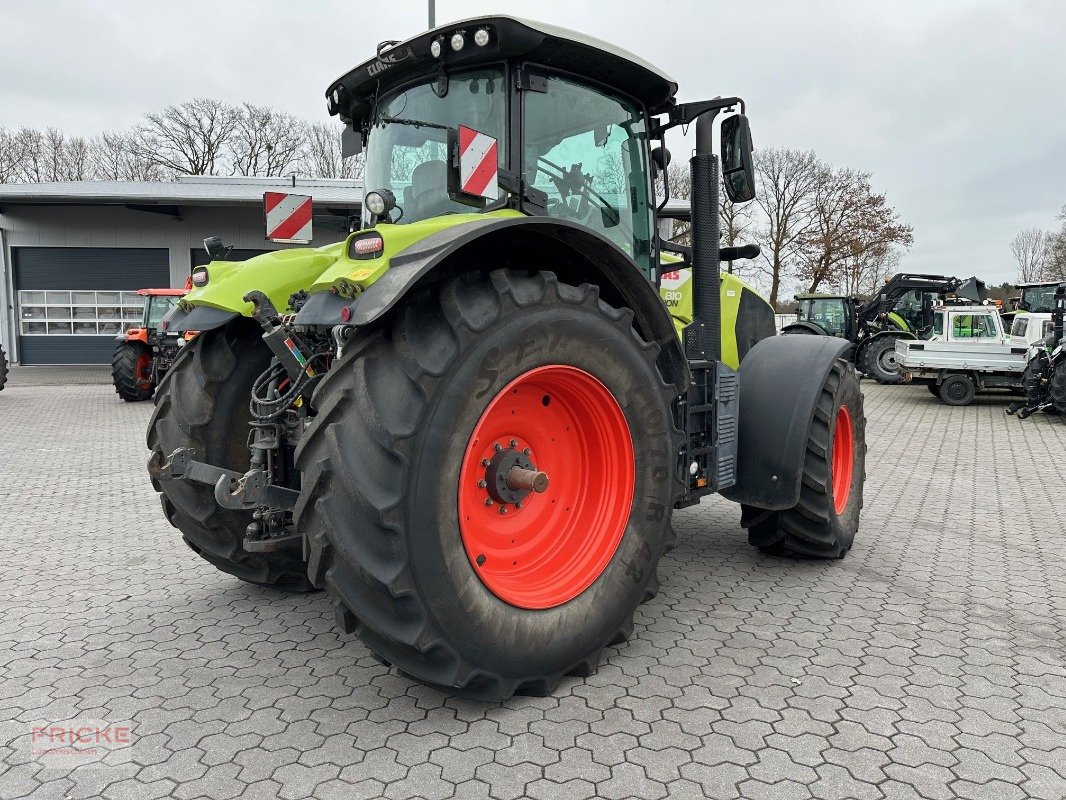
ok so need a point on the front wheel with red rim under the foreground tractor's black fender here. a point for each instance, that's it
(825, 522)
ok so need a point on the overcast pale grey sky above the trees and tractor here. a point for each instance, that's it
(956, 107)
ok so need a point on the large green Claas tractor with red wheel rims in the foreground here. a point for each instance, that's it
(472, 421)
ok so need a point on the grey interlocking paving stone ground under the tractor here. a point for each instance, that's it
(930, 663)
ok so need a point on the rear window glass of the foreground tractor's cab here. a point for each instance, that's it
(408, 143)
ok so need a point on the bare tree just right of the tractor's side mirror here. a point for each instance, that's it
(787, 181)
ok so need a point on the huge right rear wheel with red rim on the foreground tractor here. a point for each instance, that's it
(428, 559)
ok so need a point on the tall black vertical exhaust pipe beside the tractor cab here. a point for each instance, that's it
(704, 339)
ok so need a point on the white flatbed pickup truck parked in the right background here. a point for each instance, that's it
(971, 351)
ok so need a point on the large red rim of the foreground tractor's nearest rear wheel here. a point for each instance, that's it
(546, 549)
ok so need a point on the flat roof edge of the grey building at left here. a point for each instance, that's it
(189, 190)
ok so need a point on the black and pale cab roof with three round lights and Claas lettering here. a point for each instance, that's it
(510, 38)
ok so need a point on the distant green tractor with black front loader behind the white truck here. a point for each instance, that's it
(902, 309)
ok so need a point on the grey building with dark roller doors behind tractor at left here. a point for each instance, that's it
(72, 254)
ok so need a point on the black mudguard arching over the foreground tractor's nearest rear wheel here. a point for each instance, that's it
(574, 252)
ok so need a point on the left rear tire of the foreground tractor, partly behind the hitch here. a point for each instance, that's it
(203, 404)
